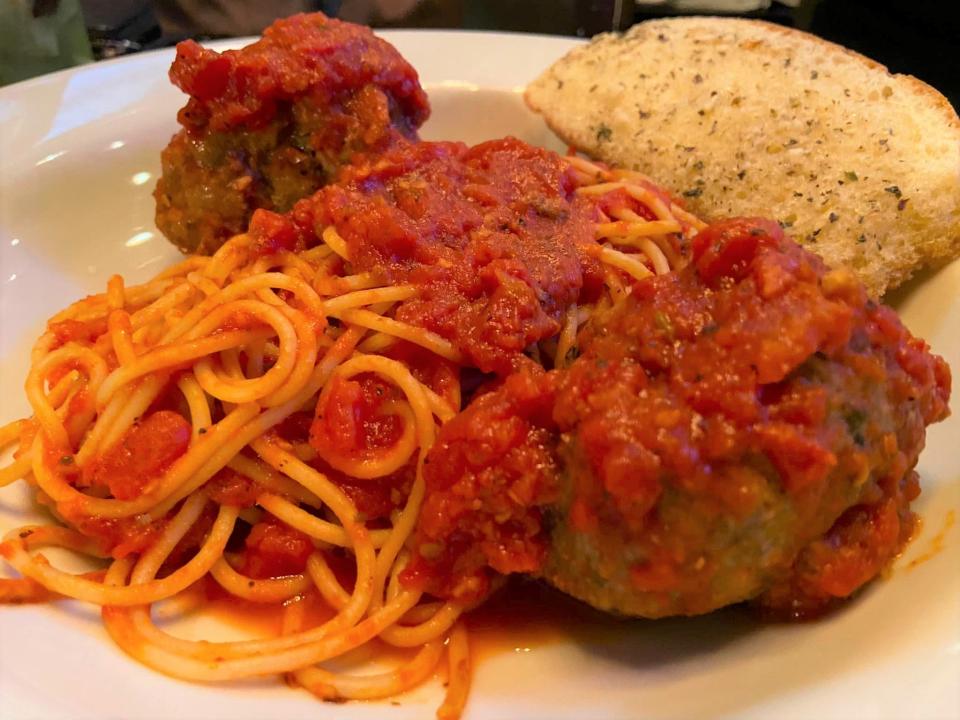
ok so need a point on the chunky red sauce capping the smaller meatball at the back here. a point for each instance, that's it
(300, 55)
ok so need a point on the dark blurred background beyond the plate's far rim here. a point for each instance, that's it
(920, 37)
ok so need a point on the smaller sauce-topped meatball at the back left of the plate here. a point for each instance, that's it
(270, 123)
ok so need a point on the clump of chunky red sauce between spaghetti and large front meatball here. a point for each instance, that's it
(489, 473)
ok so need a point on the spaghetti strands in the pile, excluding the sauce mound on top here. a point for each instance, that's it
(159, 439)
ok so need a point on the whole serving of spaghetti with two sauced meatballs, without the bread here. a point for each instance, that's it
(440, 366)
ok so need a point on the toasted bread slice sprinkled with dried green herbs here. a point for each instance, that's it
(742, 117)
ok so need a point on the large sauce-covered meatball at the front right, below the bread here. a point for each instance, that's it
(743, 429)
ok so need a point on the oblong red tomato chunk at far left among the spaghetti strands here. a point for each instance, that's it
(141, 456)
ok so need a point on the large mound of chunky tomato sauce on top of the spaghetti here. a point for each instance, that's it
(493, 235)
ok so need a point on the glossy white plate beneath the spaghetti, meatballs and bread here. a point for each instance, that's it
(79, 154)
